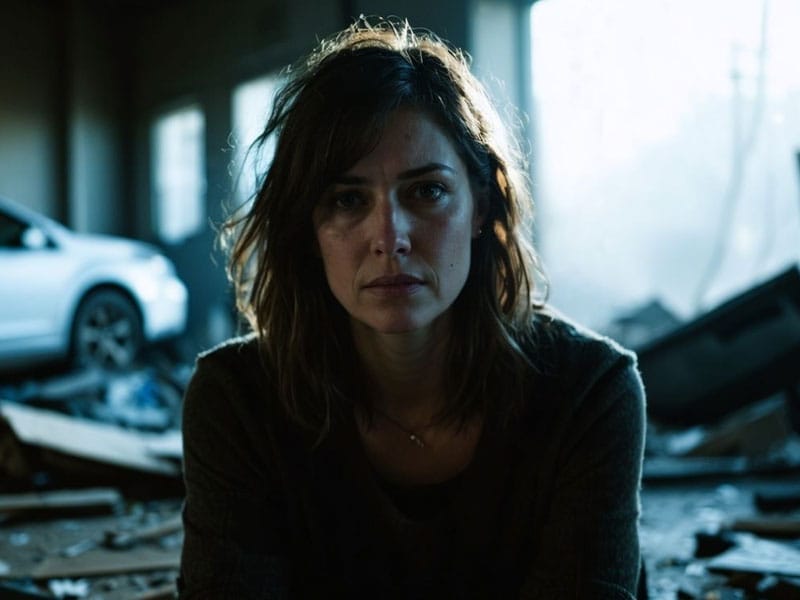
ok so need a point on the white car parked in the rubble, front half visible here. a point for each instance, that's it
(93, 299)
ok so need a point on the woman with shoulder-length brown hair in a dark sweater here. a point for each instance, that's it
(405, 421)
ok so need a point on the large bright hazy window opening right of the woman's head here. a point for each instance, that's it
(666, 140)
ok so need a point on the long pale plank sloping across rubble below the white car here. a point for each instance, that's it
(87, 439)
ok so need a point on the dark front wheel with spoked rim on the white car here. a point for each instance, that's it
(106, 332)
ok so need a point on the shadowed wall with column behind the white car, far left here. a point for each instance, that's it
(61, 112)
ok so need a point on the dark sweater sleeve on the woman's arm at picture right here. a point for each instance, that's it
(589, 546)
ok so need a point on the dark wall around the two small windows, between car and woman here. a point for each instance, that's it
(199, 51)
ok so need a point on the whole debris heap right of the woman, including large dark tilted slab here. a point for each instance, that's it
(724, 411)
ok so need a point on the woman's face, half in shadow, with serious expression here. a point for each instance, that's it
(395, 231)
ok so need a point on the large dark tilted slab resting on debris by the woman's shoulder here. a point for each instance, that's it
(740, 352)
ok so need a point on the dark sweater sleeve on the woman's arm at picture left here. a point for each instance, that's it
(234, 546)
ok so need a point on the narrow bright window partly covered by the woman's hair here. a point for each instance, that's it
(252, 103)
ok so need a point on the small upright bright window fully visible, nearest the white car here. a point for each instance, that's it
(179, 182)
